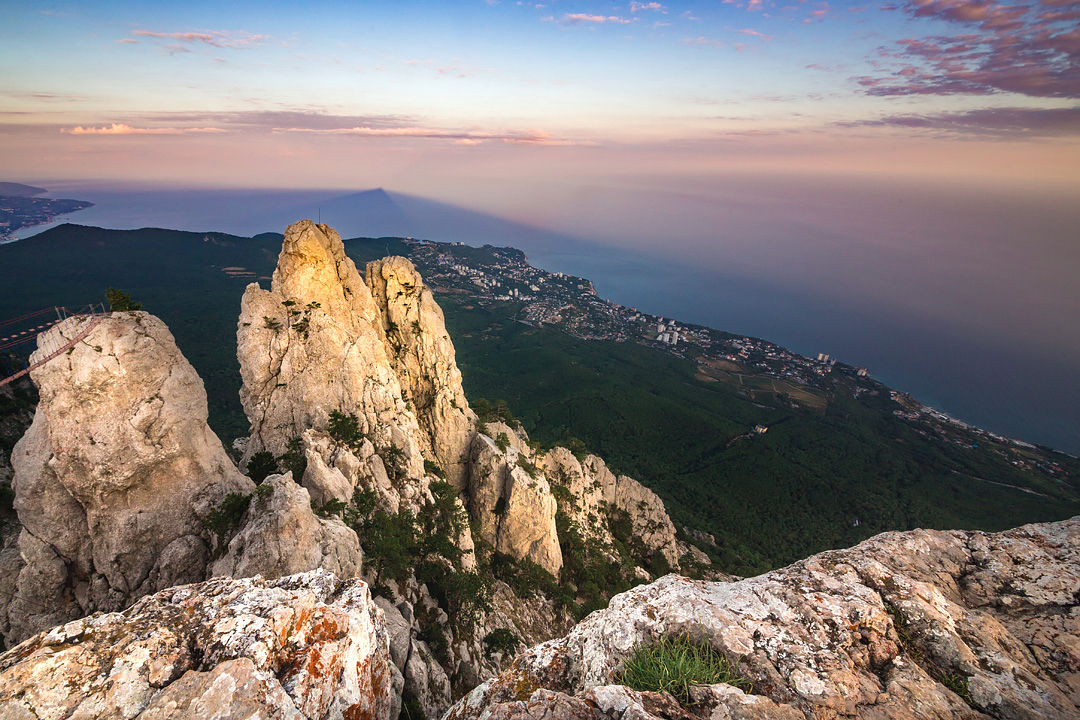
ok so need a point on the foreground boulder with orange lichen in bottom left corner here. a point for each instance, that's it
(305, 647)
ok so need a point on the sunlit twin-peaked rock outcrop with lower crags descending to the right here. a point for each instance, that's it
(328, 341)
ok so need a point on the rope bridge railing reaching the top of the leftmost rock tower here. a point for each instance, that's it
(22, 337)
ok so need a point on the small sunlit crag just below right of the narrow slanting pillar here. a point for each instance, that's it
(512, 506)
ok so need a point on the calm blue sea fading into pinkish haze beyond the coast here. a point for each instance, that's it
(969, 301)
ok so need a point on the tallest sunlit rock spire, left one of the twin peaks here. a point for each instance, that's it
(314, 345)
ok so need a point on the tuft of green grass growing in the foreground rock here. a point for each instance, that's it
(674, 664)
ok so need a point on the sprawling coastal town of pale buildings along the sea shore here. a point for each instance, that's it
(757, 370)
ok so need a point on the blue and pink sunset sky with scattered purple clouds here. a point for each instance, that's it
(451, 100)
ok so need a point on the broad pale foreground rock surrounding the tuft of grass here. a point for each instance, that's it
(922, 624)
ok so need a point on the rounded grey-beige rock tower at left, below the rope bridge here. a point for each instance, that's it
(114, 476)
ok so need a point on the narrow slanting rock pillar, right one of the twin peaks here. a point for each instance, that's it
(424, 358)
